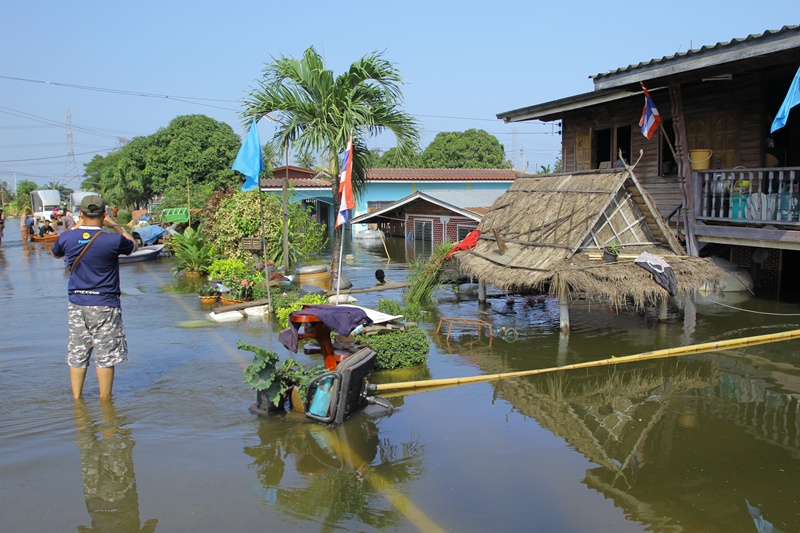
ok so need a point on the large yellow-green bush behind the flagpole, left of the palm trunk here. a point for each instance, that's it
(238, 213)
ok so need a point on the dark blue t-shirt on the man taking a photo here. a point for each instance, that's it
(95, 279)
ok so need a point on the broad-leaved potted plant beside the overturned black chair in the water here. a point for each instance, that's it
(273, 381)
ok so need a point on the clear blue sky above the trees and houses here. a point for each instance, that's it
(462, 62)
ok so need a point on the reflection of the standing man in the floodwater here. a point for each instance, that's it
(109, 482)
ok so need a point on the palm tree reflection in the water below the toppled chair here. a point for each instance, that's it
(338, 473)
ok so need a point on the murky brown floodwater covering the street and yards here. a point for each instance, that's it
(697, 443)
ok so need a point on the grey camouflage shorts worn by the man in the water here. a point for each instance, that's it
(98, 330)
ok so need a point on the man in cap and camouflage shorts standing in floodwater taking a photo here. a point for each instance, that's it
(94, 313)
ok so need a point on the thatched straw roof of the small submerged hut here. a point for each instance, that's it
(554, 228)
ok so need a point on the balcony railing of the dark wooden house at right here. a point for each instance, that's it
(751, 196)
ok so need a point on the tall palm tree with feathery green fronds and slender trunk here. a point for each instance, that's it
(318, 113)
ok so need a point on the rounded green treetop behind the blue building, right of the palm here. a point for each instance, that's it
(468, 149)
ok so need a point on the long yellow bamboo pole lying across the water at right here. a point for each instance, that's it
(657, 354)
